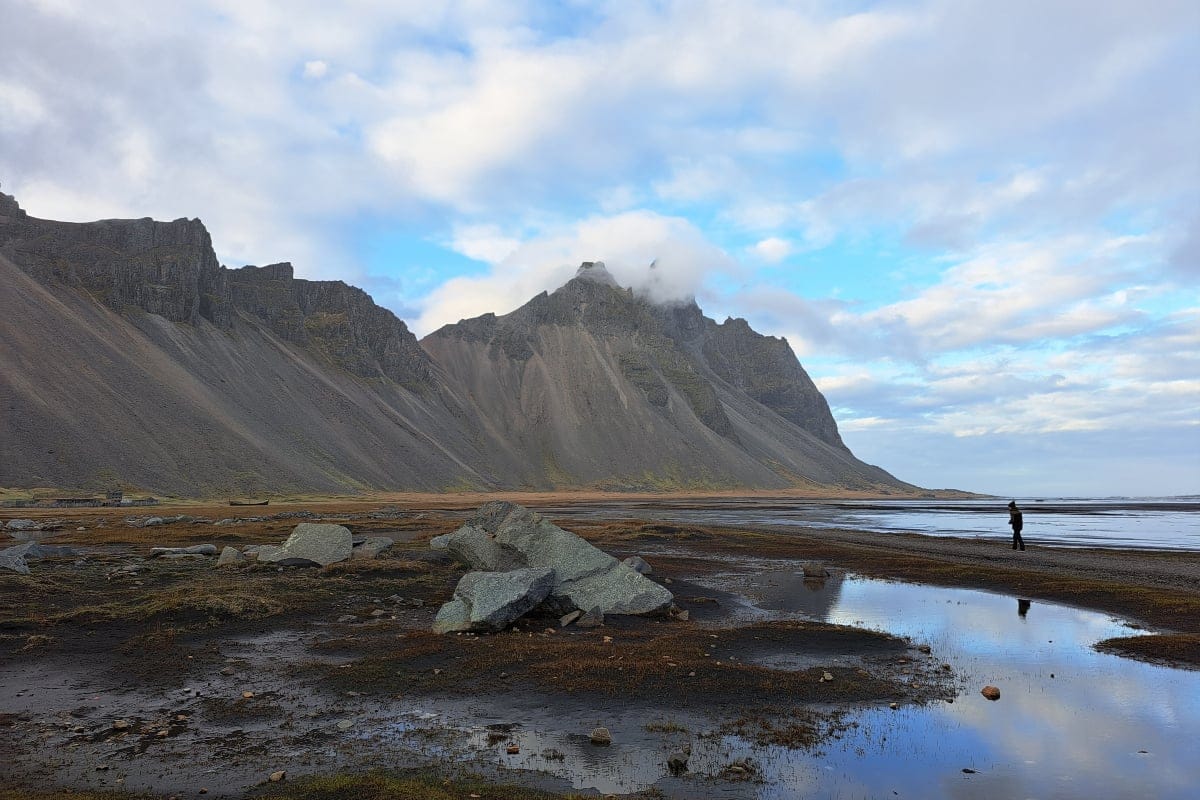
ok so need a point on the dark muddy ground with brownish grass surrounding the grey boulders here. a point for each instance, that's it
(175, 677)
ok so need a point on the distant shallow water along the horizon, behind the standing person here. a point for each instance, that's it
(1148, 525)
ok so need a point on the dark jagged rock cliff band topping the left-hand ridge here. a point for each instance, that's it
(170, 269)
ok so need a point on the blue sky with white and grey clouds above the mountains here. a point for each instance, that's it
(977, 224)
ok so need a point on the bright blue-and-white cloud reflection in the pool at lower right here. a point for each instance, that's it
(1087, 725)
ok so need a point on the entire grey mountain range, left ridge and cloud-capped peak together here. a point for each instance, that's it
(129, 357)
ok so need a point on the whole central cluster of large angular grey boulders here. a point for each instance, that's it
(523, 562)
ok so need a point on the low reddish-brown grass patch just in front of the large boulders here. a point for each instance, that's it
(667, 661)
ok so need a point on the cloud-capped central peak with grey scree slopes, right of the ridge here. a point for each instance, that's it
(598, 387)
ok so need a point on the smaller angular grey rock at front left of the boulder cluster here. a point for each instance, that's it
(491, 601)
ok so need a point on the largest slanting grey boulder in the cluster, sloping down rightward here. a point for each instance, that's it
(585, 578)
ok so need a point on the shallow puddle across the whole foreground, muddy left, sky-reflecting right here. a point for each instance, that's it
(1071, 723)
